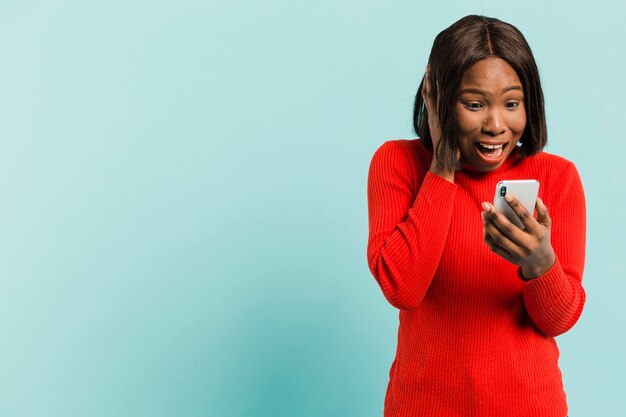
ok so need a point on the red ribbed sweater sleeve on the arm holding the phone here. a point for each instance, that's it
(555, 300)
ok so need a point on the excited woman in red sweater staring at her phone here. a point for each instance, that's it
(480, 299)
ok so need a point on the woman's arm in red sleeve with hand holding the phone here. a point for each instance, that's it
(550, 252)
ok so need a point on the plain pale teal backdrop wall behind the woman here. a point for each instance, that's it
(184, 220)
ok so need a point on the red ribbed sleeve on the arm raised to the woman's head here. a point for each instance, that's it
(407, 232)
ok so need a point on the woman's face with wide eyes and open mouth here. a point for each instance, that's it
(491, 114)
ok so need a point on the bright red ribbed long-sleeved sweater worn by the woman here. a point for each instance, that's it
(474, 338)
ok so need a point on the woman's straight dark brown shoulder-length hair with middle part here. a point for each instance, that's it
(455, 50)
